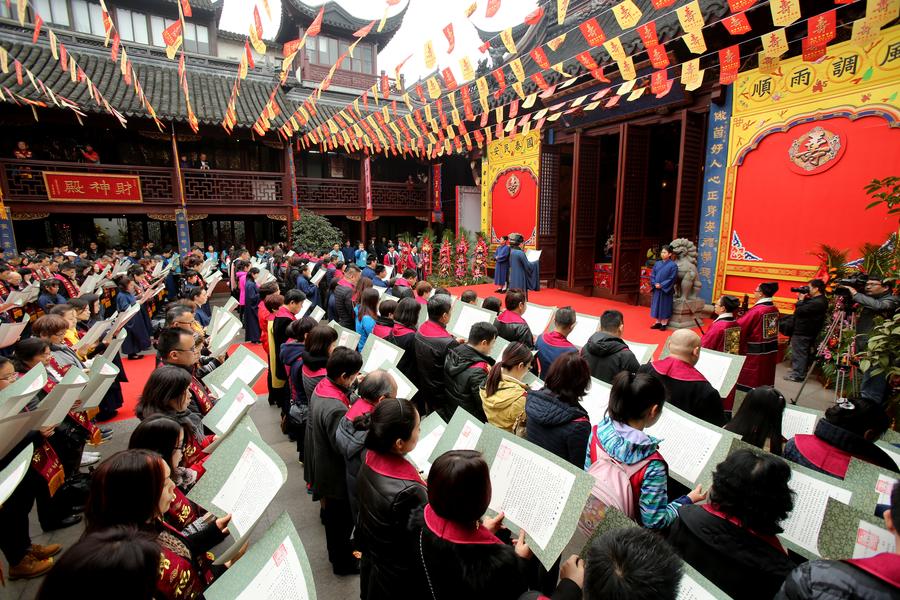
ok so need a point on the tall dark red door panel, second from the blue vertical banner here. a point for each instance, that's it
(631, 197)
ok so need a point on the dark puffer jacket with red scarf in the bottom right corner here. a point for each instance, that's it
(840, 580)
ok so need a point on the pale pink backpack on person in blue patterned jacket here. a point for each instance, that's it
(617, 484)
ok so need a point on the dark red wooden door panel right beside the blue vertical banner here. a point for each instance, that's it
(690, 176)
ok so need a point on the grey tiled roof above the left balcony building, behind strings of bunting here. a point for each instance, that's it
(209, 85)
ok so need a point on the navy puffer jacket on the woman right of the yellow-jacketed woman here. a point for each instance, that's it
(557, 426)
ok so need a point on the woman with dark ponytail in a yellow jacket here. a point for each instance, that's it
(503, 395)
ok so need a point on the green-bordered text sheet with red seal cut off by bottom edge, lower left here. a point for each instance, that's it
(275, 567)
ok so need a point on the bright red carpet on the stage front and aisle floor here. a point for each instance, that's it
(637, 328)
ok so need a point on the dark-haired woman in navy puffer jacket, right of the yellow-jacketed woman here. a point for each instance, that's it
(556, 420)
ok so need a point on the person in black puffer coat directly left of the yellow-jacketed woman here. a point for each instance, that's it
(466, 370)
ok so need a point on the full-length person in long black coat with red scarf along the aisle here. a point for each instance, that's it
(323, 466)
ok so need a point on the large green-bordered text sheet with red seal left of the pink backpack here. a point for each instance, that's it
(536, 490)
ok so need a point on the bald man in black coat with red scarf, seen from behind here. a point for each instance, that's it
(687, 387)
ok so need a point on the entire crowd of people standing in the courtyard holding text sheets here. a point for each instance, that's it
(410, 536)
